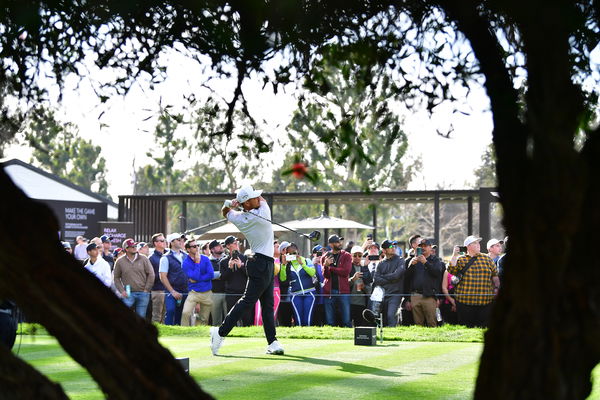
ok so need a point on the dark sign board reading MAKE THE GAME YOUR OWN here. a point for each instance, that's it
(77, 218)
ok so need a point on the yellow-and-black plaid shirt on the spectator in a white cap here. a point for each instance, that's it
(475, 287)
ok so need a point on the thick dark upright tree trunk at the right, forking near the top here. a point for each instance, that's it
(543, 338)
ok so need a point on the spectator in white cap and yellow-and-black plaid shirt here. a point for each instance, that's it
(476, 283)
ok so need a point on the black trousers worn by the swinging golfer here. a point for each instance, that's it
(258, 287)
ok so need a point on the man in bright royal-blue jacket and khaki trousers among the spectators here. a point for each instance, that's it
(200, 273)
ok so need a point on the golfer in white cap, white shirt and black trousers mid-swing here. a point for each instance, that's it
(259, 233)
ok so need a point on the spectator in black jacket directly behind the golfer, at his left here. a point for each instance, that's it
(233, 273)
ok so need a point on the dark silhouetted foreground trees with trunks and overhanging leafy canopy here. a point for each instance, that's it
(533, 59)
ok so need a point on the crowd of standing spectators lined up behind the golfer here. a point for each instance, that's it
(178, 280)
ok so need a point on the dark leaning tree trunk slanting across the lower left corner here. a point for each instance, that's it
(119, 349)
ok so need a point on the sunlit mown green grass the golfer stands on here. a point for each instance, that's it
(310, 369)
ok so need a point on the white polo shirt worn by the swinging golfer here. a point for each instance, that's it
(258, 231)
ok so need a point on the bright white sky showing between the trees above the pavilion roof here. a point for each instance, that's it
(123, 126)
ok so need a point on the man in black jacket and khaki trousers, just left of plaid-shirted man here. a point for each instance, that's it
(423, 281)
